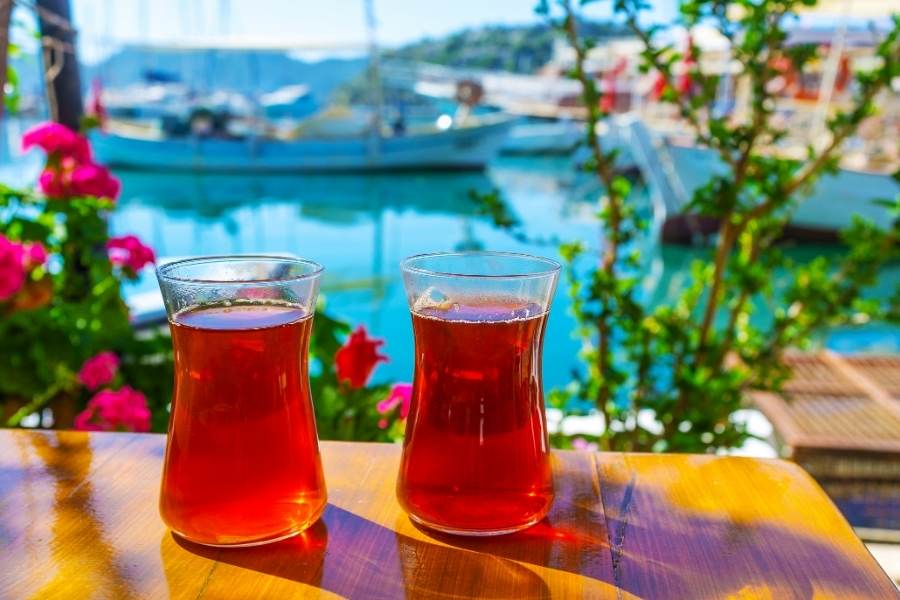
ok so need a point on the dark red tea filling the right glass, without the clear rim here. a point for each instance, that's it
(476, 455)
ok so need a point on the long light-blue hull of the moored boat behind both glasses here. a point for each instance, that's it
(470, 145)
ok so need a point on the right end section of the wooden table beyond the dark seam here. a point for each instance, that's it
(672, 540)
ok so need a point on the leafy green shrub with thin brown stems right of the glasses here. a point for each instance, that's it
(670, 378)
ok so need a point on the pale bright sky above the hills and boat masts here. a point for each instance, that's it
(105, 24)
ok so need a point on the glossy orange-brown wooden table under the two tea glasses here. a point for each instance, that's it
(78, 519)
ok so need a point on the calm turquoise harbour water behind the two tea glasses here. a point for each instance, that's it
(360, 227)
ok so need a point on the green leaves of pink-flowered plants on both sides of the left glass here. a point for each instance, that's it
(43, 346)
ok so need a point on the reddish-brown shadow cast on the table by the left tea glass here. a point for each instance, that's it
(351, 556)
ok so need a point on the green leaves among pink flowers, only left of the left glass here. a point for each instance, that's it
(42, 348)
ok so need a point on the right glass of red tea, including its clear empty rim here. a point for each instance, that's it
(476, 458)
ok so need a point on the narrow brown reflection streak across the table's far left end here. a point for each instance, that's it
(84, 560)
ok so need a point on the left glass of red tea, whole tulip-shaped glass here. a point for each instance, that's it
(242, 463)
